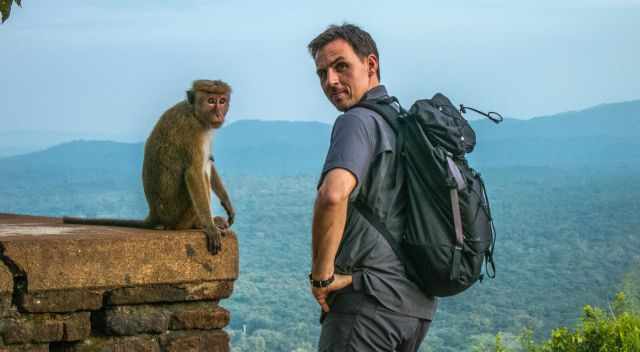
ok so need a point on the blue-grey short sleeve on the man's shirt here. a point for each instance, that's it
(351, 148)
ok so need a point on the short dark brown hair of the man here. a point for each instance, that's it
(361, 42)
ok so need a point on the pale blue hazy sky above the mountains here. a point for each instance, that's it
(110, 68)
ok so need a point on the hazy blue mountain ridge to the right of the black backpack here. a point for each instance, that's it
(606, 134)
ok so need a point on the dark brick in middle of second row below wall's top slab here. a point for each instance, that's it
(132, 320)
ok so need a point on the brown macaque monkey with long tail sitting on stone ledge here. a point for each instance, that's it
(178, 172)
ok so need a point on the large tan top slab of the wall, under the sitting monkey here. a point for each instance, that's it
(55, 256)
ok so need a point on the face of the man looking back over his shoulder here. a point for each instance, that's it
(344, 77)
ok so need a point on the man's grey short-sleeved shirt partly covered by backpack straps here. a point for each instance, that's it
(364, 144)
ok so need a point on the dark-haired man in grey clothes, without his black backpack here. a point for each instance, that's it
(368, 302)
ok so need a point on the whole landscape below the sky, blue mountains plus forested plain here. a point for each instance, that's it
(567, 231)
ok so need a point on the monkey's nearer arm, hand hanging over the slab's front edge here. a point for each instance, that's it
(197, 187)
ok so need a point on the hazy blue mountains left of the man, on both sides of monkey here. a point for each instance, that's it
(242, 148)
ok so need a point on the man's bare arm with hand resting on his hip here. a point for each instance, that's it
(329, 218)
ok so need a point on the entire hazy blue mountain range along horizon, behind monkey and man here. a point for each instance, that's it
(602, 135)
